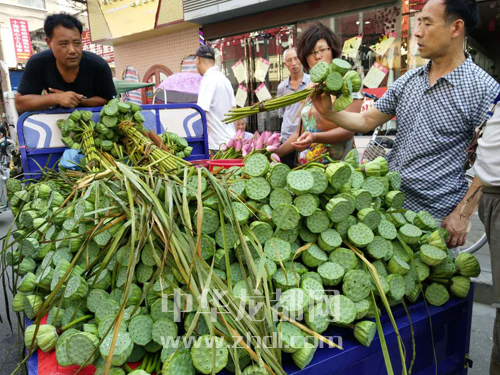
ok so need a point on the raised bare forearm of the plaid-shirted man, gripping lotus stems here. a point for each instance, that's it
(354, 122)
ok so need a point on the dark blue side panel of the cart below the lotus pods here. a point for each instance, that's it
(449, 338)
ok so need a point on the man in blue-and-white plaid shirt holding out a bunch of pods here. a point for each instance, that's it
(438, 107)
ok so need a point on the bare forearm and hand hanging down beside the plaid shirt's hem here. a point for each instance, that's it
(457, 222)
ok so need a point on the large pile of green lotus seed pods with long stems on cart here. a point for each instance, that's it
(104, 257)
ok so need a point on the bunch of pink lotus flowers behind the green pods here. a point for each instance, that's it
(240, 148)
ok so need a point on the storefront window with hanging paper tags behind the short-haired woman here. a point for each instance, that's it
(371, 37)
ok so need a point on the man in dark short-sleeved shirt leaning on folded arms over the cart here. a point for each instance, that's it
(69, 76)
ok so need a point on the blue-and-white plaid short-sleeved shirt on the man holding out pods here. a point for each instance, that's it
(435, 125)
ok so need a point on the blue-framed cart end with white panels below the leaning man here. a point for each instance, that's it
(40, 139)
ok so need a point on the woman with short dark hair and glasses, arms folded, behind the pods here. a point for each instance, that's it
(317, 43)
